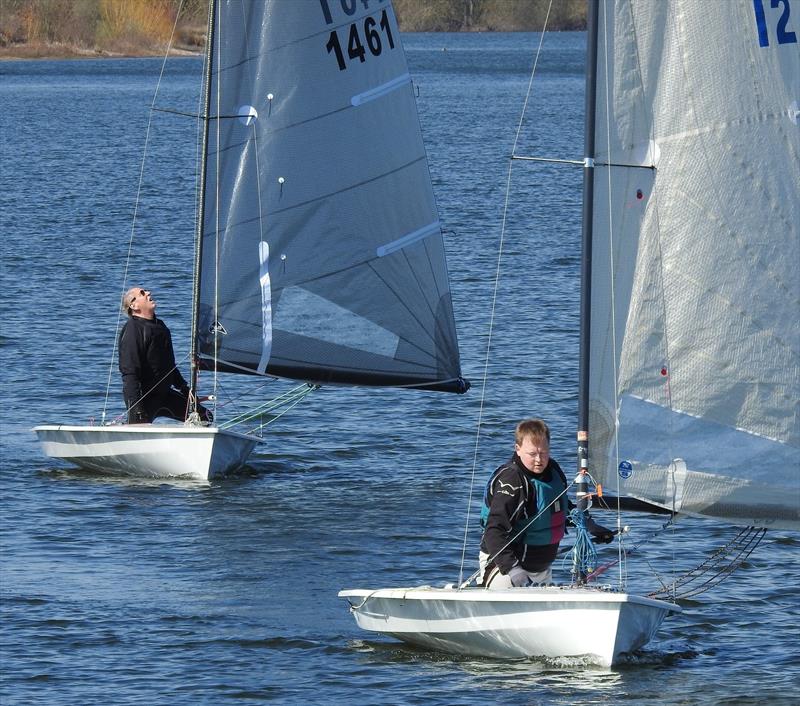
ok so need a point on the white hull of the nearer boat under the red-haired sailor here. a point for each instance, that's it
(513, 623)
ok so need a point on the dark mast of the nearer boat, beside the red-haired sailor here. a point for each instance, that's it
(586, 254)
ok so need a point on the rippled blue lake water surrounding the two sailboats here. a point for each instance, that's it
(125, 592)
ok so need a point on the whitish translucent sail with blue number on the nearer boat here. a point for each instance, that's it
(695, 334)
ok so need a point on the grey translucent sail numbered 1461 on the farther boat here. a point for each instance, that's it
(322, 257)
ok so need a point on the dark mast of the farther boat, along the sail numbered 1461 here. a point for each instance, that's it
(210, 35)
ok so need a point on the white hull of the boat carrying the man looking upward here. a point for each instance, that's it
(149, 450)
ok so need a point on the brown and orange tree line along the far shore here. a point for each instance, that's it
(145, 26)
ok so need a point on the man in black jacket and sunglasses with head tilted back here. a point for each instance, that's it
(152, 385)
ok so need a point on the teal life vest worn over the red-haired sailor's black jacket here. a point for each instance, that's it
(550, 525)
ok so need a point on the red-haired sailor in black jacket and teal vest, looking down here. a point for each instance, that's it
(517, 550)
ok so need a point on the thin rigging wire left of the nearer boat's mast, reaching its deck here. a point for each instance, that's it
(494, 296)
